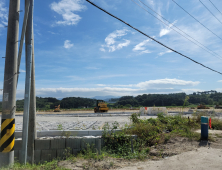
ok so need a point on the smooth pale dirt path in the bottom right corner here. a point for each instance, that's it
(198, 159)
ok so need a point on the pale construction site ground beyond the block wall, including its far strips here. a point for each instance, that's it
(85, 120)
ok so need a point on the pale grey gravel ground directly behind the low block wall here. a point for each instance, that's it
(66, 122)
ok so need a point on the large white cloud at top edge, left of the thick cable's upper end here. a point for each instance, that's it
(68, 9)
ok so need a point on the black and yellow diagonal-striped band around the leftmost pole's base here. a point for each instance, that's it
(7, 140)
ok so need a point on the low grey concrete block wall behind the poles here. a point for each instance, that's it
(49, 149)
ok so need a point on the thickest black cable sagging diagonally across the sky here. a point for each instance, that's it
(152, 38)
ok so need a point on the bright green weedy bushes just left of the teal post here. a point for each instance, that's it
(156, 131)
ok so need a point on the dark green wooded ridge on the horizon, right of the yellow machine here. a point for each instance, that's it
(175, 99)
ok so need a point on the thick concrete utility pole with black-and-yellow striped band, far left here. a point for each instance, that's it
(9, 91)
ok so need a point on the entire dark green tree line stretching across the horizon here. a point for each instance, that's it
(175, 99)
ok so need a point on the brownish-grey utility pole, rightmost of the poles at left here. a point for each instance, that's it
(32, 110)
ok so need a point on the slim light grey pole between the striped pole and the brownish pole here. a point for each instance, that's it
(28, 50)
